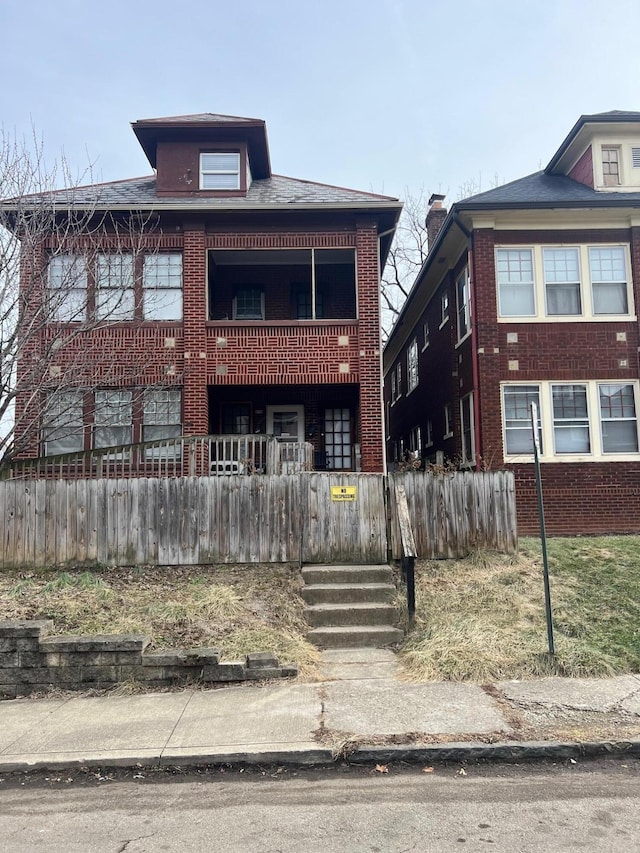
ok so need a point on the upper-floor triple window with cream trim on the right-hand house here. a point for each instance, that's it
(564, 283)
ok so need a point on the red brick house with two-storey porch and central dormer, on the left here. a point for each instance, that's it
(269, 321)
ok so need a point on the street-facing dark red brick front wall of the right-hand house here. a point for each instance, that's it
(594, 497)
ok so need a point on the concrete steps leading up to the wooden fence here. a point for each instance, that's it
(350, 606)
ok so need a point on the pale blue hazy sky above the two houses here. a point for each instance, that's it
(372, 94)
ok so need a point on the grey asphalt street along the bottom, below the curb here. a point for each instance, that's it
(277, 810)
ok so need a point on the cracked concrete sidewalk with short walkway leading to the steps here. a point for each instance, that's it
(361, 710)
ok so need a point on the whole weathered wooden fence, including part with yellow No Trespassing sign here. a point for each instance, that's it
(279, 518)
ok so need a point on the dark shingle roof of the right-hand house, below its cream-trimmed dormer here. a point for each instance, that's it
(543, 190)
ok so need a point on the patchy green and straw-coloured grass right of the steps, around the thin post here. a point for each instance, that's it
(483, 618)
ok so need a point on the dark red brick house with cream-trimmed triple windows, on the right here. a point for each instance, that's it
(530, 293)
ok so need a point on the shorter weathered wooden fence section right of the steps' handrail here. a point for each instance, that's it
(455, 512)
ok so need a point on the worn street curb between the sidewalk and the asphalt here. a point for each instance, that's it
(461, 752)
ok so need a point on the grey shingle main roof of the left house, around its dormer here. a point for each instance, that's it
(275, 191)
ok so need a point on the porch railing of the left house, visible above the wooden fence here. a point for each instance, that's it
(202, 455)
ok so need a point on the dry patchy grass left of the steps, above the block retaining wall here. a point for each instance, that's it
(238, 609)
